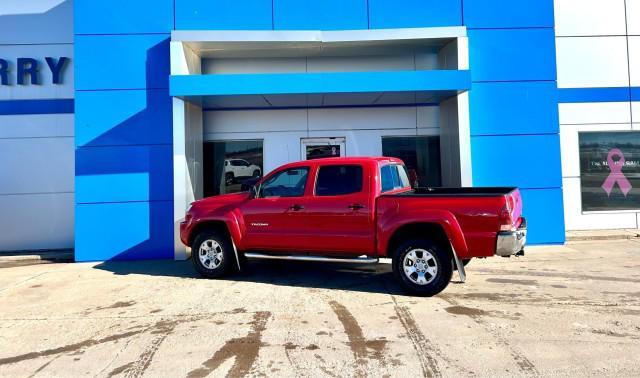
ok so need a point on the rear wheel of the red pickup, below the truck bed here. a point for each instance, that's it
(426, 281)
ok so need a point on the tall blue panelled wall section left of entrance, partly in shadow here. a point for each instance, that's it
(123, 129)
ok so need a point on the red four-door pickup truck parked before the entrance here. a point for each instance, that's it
(355, 210)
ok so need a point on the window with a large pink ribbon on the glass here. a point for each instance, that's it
(610, 170)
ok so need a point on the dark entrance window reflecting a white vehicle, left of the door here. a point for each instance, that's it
(231, 166)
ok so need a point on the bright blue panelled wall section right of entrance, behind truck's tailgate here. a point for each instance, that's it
(513, 107)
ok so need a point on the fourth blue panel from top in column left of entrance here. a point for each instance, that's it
(124, 173)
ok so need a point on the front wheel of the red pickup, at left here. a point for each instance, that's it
(217, 250)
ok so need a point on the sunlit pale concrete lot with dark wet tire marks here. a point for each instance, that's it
(558, 311)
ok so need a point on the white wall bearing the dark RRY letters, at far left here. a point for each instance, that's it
(37, 150)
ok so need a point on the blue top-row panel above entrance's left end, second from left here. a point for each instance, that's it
(223, 14)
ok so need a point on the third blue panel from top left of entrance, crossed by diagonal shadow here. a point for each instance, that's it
(131, 117)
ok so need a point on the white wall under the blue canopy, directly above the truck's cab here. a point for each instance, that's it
(282, 129)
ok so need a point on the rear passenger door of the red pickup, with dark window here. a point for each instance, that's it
(340, 210)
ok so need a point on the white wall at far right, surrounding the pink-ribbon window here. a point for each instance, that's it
(598, 46)
